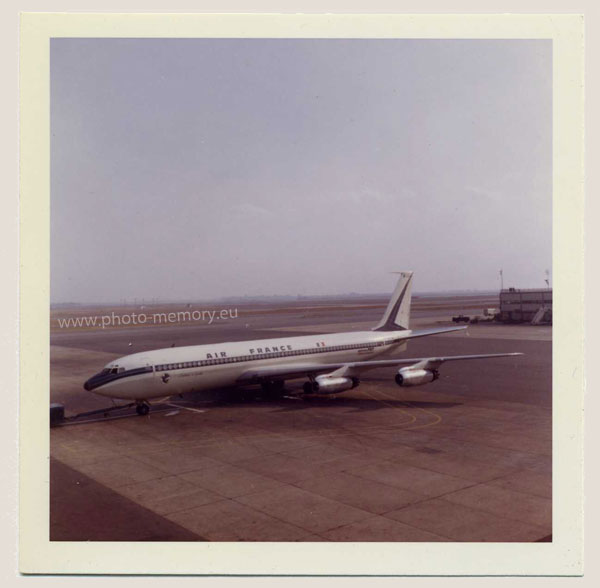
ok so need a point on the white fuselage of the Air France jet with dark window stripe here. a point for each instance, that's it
(176, 370)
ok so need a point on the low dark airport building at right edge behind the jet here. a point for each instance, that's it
(526, 305)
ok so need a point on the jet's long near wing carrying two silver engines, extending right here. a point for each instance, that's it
(282, 372)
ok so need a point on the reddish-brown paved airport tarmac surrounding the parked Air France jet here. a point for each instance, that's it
(466, 458)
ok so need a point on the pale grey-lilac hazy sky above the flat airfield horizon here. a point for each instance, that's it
(201, 168)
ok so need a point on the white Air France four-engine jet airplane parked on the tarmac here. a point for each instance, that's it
(331, 363)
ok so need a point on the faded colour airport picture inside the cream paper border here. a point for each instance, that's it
(301, 290)
